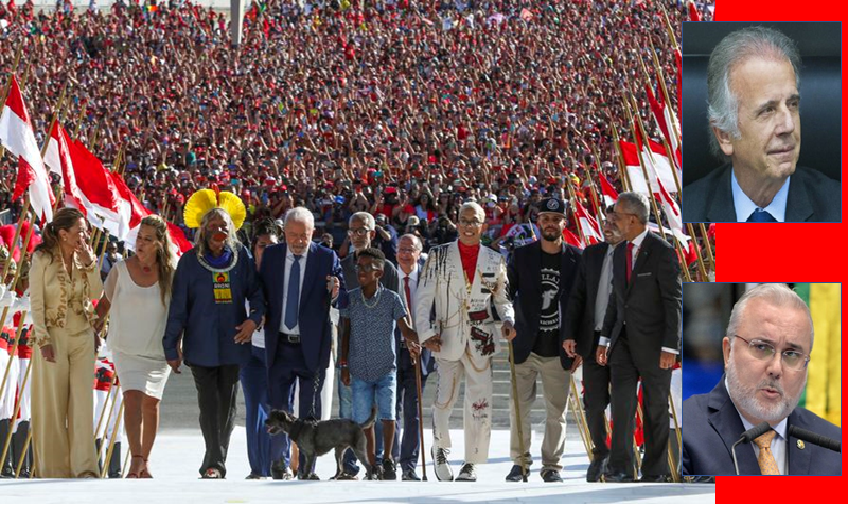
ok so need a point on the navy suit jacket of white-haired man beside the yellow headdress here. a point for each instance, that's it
(314, 321)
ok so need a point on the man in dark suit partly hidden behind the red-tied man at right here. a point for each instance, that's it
(580, 333)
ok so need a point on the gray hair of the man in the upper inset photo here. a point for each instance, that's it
(753, 41)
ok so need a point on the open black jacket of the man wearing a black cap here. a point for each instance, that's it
(525, 288)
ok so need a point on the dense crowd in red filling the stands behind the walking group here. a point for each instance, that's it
(399, 107)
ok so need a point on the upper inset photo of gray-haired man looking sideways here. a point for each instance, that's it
(762, 128)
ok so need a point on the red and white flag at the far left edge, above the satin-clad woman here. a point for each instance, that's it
(17, 135)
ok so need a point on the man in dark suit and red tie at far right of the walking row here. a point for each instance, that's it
(640, 337)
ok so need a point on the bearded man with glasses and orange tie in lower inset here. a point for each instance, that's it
(766, 351)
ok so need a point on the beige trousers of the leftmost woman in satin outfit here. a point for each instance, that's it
(62, 406)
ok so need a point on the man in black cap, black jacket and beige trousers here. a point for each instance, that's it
(540, 278)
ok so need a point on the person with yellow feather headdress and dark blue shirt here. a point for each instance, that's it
(208, 325)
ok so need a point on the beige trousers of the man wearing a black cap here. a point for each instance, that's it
(556, 393)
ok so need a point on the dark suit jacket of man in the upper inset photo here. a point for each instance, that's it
(812, 197)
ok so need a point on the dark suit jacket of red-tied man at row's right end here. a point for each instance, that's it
(651, 305)
